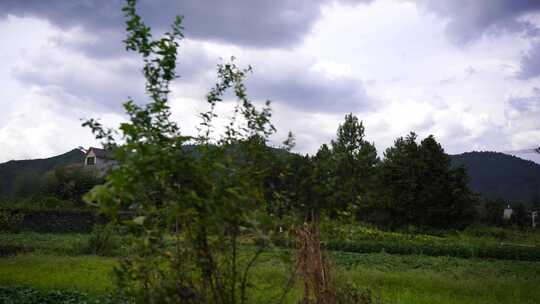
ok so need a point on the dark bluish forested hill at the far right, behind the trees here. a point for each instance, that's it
(498, 175)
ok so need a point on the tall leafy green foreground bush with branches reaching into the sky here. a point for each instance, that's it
(204, 189)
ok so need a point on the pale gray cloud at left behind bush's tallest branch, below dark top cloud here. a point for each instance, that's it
(105, 83)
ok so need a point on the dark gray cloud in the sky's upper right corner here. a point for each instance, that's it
(469, 20)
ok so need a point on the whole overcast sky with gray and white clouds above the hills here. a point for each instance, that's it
(465, 71)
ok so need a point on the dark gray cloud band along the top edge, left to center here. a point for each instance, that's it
(254, 23)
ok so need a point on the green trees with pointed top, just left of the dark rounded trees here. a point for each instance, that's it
(337, 182)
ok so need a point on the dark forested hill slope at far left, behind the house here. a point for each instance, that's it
(21, 175)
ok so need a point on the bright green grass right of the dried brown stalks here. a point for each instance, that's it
(421, 279)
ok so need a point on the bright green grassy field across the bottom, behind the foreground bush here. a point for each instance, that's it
(393, 278)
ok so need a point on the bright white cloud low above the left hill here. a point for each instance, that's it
(41, 125)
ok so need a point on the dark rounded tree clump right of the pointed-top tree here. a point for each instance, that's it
(419, 187)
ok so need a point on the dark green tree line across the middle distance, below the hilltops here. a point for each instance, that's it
(414, 184)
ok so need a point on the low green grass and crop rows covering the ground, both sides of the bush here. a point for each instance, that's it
(61, 264)
